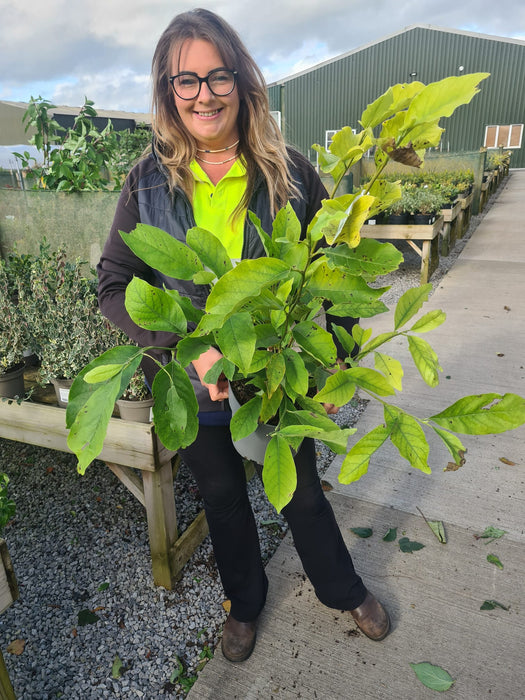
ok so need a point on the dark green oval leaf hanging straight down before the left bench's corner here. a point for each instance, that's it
(175, 408)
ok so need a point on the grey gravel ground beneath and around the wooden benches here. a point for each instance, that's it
(87, 603)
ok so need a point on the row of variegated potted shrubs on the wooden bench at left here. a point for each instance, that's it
(49, 313)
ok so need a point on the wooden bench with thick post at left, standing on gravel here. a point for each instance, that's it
(129, 446)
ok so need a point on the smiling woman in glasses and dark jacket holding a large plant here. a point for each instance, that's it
(217, 152)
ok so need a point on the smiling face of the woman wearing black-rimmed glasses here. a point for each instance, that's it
(211, 120)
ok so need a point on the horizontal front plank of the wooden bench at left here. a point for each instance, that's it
(127, 442)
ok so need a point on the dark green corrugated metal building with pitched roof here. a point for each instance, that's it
(314, 103)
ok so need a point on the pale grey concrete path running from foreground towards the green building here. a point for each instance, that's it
(305, 650)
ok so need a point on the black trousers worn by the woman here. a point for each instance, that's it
(219, 472)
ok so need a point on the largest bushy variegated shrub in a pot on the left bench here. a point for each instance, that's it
(61, 308)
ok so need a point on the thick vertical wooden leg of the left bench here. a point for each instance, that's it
(159, 499)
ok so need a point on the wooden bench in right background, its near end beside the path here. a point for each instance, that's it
(427, 234)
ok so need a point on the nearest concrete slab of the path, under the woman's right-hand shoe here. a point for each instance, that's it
(305, 650)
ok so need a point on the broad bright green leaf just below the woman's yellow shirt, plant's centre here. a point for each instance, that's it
(246, 280)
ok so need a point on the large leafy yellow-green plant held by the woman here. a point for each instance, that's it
(262, 315)
